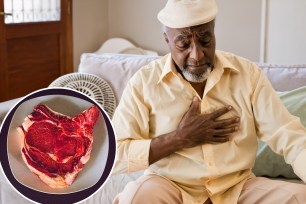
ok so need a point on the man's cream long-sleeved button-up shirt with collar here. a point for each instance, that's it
(157, 97)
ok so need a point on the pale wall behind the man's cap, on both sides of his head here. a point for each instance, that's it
(237, 26)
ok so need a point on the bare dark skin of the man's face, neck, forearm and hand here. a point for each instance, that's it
(193, 48)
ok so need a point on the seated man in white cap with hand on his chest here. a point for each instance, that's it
(193, 117)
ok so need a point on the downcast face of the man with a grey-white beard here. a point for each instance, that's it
(193, 50)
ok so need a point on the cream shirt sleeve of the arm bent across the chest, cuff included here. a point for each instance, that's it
(131, 124)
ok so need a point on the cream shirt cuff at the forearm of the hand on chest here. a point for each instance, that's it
(138, 158)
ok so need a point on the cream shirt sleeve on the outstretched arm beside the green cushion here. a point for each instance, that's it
(283, 132)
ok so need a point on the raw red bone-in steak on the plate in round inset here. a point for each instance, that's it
(54, 146)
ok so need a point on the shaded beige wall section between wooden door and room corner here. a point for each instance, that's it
(90, 26)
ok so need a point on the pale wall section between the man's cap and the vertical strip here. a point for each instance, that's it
(238, 27)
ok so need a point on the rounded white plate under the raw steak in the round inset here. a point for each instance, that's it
(68, 105)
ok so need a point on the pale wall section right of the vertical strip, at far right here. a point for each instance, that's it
(286, 31)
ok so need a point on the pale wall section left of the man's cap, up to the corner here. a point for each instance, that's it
(136, 21)
